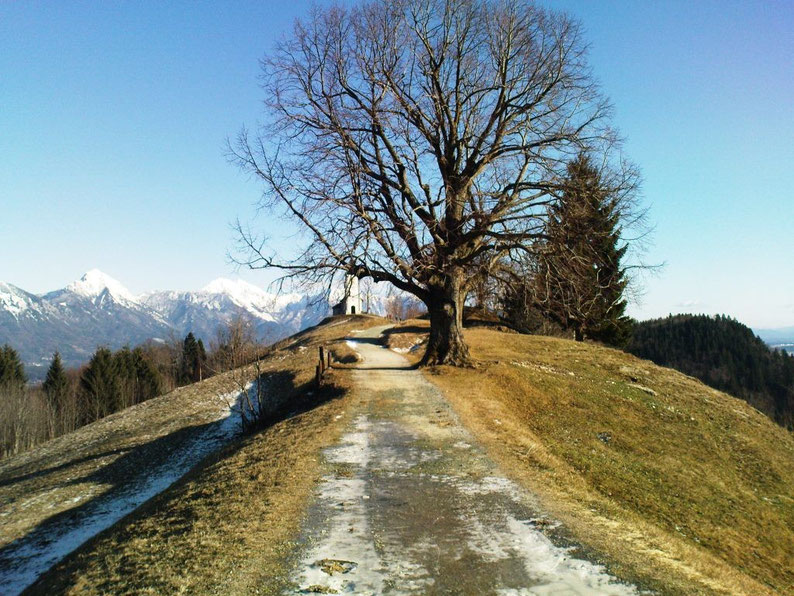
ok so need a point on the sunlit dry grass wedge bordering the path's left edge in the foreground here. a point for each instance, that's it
(224, 529)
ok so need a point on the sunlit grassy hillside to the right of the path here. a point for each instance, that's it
(679, 485)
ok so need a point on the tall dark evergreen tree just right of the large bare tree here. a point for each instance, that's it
(580, 281)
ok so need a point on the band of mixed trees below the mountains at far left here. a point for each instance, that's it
(70, 398)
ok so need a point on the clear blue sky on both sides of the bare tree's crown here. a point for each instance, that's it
(113, 117)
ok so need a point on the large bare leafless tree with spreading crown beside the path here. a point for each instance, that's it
(410, 138)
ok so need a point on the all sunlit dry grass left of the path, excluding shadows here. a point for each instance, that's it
(224, 527)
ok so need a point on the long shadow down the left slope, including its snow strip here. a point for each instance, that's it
(132, 483)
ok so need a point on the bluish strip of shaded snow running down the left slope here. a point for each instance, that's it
(25, 559)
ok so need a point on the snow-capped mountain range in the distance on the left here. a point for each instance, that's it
(98, 310)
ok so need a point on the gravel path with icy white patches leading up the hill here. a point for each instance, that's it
(411, 505)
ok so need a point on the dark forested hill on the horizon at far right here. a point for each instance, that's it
(724, 354)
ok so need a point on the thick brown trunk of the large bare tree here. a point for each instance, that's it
(445, 306)
